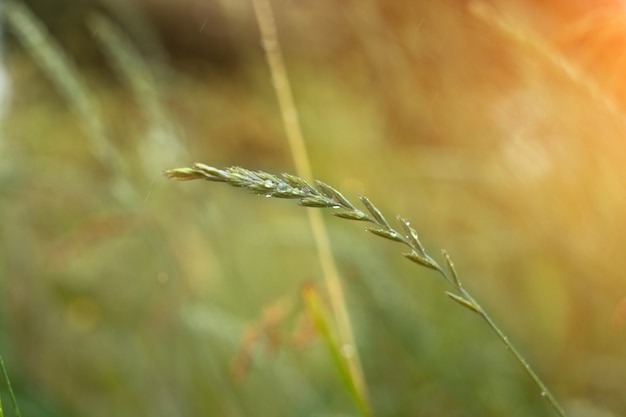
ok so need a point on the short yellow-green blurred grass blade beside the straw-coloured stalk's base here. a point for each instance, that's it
(321, 318)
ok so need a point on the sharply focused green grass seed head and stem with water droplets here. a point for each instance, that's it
(324, 196)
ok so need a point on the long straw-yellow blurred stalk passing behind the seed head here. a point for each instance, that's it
(289, 113)
